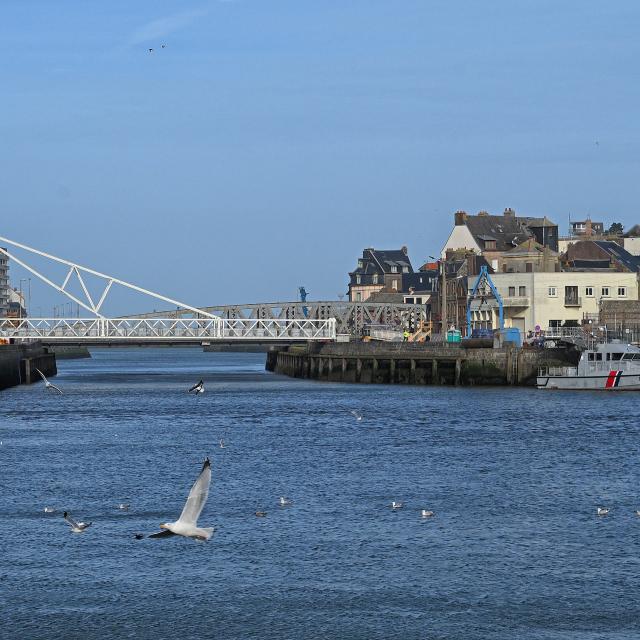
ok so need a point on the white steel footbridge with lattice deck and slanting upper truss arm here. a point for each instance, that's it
(202, 327)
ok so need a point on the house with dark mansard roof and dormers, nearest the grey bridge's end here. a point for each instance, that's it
(380, 270)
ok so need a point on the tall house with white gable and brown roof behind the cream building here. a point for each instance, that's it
(492, 236)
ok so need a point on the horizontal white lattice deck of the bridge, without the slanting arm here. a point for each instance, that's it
(166, 329)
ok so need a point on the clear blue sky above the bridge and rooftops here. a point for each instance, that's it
(270, 141)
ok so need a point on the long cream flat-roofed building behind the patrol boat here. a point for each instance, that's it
(545, 300)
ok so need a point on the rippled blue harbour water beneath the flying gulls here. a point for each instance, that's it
(514, 476)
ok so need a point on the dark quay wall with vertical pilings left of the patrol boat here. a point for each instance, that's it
(419, 364)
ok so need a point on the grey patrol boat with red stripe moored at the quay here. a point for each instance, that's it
(611, 366)
